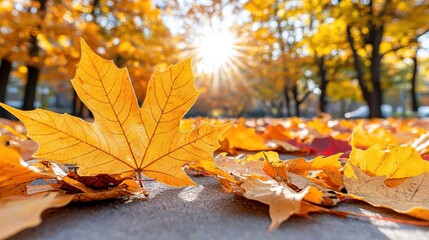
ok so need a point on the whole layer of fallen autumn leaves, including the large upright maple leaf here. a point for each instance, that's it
(380, 162)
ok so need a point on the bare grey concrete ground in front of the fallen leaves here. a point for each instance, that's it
(205, 212)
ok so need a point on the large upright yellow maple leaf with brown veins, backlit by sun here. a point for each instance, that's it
(125, 138)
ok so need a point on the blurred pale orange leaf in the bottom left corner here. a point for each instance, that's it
(21, 212)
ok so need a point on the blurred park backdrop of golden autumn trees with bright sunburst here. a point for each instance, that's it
(252, 58)
